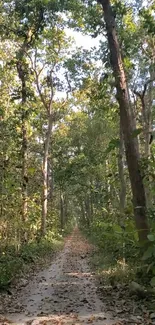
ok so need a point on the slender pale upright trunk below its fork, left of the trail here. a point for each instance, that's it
(45, 177)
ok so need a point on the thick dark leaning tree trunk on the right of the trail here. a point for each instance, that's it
(132, 157)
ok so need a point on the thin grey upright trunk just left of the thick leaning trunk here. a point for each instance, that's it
(122, 194)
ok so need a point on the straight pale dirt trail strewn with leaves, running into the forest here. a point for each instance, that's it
(65, 293)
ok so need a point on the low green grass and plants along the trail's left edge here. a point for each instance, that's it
(13, 264)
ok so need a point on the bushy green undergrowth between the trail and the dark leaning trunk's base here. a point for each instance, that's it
(116, 252)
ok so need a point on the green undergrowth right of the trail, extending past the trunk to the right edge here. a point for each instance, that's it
(117, 251)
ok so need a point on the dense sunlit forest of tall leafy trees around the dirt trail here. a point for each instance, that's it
(77, 129)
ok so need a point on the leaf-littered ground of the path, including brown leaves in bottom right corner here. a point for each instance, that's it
(65, 293)
